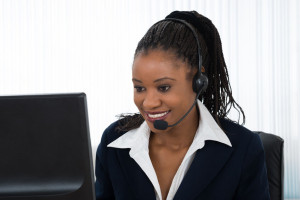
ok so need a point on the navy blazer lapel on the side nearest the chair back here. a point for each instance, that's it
(207, 163)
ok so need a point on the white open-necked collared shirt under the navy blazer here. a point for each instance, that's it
(138, 142)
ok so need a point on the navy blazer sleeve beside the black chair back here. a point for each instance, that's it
(254, 180)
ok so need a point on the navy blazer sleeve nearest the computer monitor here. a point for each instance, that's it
(103, 186)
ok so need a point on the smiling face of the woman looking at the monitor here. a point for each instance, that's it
(162, 90)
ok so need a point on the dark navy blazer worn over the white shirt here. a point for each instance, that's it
(217, 172)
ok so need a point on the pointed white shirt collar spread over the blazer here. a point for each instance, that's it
(138, 139)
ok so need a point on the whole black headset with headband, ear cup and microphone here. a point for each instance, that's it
(200, 81)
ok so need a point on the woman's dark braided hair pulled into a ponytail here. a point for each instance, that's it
(175, 37)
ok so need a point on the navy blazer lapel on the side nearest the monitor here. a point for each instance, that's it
(137, 180)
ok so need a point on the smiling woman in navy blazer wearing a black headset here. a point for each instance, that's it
(178, 147)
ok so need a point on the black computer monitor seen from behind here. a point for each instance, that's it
(45, 150)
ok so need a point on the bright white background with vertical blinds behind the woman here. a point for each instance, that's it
(58, 46)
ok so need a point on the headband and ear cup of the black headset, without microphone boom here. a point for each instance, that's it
(200, 81)
